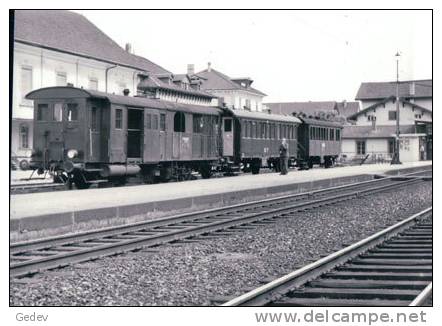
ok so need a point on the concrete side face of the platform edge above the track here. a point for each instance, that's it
(69, 221)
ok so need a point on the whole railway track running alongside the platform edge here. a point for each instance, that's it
(34, 256)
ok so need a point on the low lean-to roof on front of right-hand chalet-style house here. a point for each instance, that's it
(352, 132)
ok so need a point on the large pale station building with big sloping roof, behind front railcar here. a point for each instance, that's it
(59, 48)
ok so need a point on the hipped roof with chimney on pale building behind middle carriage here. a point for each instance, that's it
(215, 80)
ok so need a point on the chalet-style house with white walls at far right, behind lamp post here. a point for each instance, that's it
(374, 127)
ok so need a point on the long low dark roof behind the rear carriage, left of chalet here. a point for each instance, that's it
(304, 107)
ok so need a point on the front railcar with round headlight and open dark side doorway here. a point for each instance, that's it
(85, 137)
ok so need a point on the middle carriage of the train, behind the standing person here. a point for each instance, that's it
(251, 140)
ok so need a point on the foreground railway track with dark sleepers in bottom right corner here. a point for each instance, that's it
(390, 268)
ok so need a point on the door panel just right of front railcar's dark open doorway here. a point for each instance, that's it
(151, 136)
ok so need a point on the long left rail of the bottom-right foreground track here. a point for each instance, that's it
(278, 287)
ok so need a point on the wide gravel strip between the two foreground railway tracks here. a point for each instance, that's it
(194, 272)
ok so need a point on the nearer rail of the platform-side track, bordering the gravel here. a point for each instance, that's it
(123, 245)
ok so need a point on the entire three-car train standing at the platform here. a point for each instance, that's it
(85, 137)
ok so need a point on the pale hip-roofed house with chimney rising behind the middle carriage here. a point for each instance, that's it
(235, 93)
